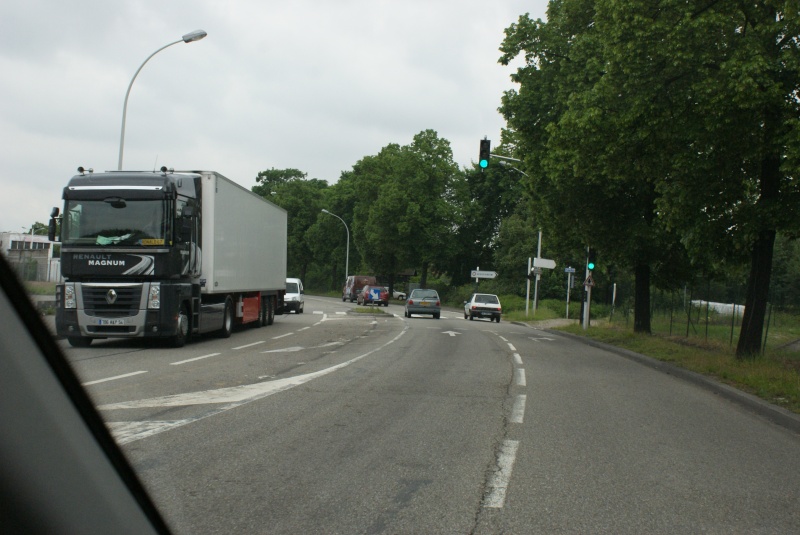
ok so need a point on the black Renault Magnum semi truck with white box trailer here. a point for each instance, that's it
(166, 255)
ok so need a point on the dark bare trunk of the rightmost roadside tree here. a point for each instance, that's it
(758, 281)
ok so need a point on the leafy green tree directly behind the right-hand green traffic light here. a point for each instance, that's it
(592, 171)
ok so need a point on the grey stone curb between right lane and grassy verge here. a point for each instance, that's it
(775, 414)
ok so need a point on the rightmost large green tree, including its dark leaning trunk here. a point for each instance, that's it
(729, 78)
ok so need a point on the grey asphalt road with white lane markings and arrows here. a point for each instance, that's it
(338, 422)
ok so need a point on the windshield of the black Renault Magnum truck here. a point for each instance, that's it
(114, 221)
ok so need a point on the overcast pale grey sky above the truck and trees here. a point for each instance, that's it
(309, 84)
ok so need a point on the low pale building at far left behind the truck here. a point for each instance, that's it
(31, 256)
